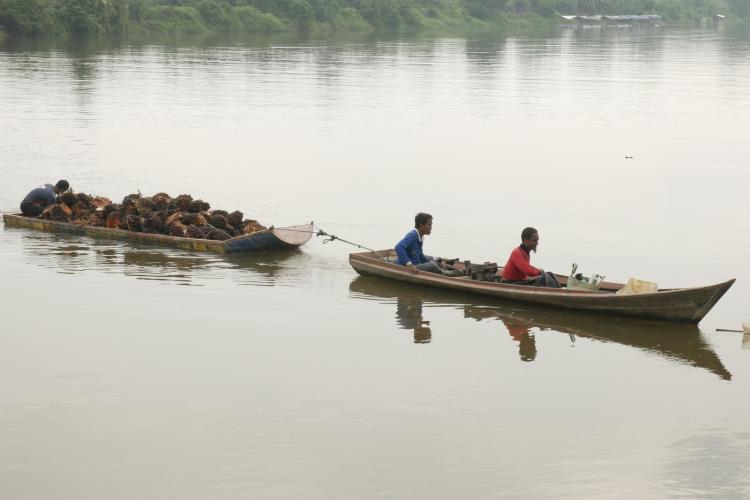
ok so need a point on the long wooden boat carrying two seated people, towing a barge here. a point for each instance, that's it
(681, 305)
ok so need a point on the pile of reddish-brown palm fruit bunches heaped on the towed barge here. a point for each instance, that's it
(158, 214)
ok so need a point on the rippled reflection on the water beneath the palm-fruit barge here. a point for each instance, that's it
(71, 254)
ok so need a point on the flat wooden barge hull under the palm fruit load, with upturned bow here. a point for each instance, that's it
(273, 238)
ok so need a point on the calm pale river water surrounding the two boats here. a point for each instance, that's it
(138, 372)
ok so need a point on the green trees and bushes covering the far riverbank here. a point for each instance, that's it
(93, 18)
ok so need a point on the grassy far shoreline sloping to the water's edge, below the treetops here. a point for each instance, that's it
(146, 21)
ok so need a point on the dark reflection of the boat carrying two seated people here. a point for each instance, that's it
(682, 343)
